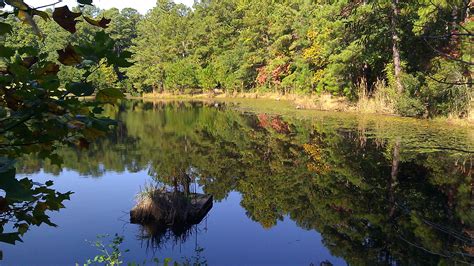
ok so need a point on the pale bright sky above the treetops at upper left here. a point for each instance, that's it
(141, 5)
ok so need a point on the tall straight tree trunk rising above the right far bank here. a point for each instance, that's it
(396, 46)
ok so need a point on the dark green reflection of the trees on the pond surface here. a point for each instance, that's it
(379, 191)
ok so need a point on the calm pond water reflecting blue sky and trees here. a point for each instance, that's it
(289, 188)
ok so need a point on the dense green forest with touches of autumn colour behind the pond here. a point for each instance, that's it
(414, 57)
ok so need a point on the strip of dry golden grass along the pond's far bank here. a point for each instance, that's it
(319, 103)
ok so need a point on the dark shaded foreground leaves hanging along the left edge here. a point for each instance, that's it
(39, 112)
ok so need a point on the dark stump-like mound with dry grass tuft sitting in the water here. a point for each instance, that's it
(171, 209)
